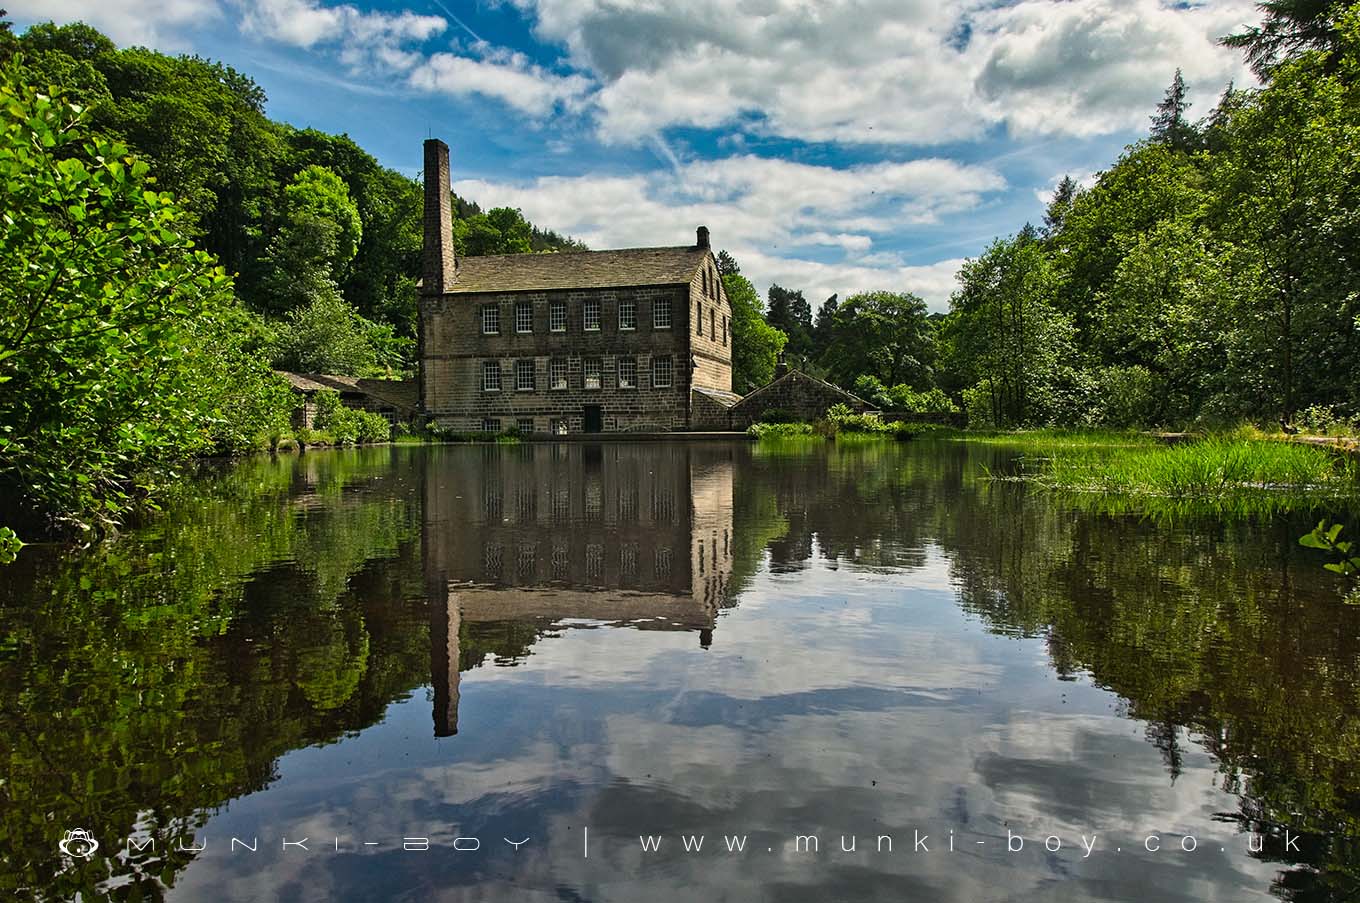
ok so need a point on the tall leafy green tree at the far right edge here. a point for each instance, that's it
(1286, 203)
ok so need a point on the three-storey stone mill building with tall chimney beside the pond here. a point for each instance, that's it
(581, 342)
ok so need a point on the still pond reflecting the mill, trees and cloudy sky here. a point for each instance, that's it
(674, 672)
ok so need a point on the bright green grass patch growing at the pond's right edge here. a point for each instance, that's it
(1210, 470)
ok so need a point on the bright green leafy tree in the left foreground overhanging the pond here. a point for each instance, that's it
(105, 319)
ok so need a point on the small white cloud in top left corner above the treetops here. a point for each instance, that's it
(158, 24)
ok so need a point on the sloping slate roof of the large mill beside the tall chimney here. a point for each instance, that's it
(579, 270)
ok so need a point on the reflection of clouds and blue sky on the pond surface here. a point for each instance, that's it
(829, 705)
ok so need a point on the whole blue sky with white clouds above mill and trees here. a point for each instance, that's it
(832, 148)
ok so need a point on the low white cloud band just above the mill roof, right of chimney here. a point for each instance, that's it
(757, 205)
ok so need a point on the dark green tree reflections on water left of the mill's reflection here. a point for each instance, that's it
(149, 683)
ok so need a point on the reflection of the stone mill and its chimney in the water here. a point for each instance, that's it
(637, 535)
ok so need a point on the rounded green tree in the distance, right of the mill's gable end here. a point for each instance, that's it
(885, 335)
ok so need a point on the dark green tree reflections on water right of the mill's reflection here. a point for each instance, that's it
(1215, 633)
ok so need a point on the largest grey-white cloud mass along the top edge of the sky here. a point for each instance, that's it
(889, 71)
